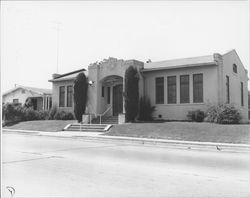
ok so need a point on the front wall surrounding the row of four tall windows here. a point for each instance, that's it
(179, 111)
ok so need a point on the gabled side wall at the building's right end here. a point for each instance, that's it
(234, 80)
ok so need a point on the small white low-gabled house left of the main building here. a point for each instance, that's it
(41, 99)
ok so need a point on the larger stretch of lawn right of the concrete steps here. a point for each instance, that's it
(188, 131)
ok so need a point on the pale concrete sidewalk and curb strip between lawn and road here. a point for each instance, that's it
(98, 136)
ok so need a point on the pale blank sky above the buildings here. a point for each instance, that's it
(39, 38)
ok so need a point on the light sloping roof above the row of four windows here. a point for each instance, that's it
(184, 62)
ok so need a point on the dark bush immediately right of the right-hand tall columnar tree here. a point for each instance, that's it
(145, 110)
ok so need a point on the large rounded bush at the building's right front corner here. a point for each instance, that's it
(223, 114)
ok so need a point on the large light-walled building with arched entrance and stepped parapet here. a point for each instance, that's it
(174, 87)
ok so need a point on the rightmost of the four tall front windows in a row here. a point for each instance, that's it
(198, 88)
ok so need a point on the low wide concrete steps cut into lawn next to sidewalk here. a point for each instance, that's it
(88, 127)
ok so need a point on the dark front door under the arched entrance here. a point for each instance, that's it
(117, 100)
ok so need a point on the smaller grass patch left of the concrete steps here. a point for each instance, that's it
(42, 125)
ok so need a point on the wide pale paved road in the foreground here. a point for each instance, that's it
(39, 166)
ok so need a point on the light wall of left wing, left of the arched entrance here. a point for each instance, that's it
(55, 95)
